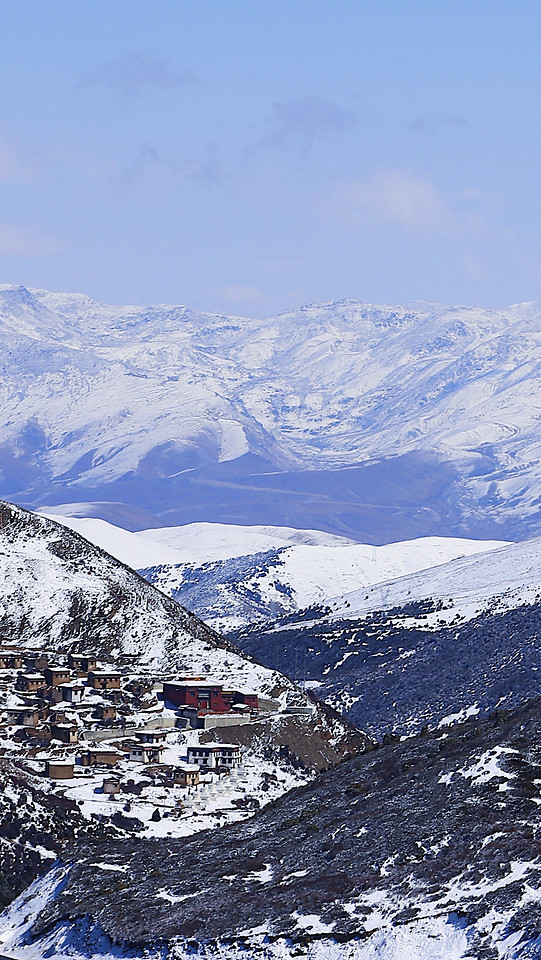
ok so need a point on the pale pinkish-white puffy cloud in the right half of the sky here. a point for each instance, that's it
(396, 197)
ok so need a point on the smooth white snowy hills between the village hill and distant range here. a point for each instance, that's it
(231, 575)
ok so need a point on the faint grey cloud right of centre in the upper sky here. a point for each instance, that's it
(302, 122)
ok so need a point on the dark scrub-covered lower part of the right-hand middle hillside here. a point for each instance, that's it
(391, 672)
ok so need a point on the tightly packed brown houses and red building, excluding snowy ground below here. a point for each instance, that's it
(85, 714)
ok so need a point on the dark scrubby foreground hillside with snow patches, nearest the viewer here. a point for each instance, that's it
(425, 848)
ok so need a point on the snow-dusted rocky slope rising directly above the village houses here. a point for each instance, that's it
(59, 591)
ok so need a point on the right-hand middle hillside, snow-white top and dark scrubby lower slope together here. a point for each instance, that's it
(458, 638)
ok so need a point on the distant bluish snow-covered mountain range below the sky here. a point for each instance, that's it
(382, 423)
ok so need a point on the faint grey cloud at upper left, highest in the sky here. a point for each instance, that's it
(135, 74)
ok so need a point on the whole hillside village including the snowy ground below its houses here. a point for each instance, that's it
(150, 753)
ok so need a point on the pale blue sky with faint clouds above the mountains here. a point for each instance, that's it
(246, 158)
